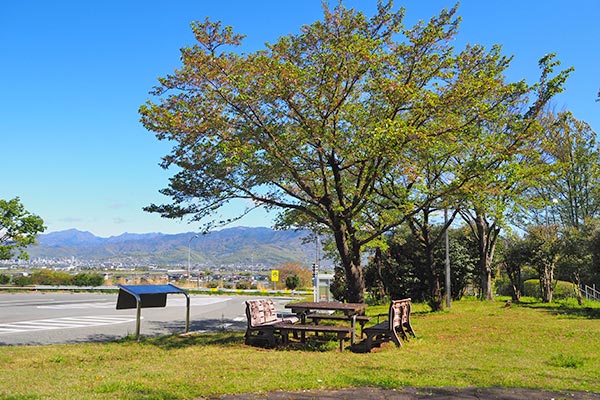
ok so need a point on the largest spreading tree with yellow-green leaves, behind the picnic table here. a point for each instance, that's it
(328, 125)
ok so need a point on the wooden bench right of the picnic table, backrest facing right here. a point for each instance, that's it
(398, 322)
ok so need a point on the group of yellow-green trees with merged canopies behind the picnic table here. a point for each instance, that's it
(361, 127)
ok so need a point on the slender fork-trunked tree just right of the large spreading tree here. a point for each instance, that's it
(500, 189)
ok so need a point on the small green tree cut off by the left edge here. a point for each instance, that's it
(18, 228)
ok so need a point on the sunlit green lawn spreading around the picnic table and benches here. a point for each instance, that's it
(475, 343)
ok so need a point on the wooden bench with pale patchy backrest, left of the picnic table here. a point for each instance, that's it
(263, 321)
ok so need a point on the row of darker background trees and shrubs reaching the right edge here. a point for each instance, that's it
(551, 226)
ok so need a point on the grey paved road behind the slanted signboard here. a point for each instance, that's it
(53, 318)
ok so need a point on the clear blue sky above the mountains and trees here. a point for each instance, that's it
(74, 73)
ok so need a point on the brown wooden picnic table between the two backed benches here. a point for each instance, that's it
(351, 311)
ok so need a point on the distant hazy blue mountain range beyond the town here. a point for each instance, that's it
(240, 245)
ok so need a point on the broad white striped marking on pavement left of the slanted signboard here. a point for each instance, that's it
(64, 323)
